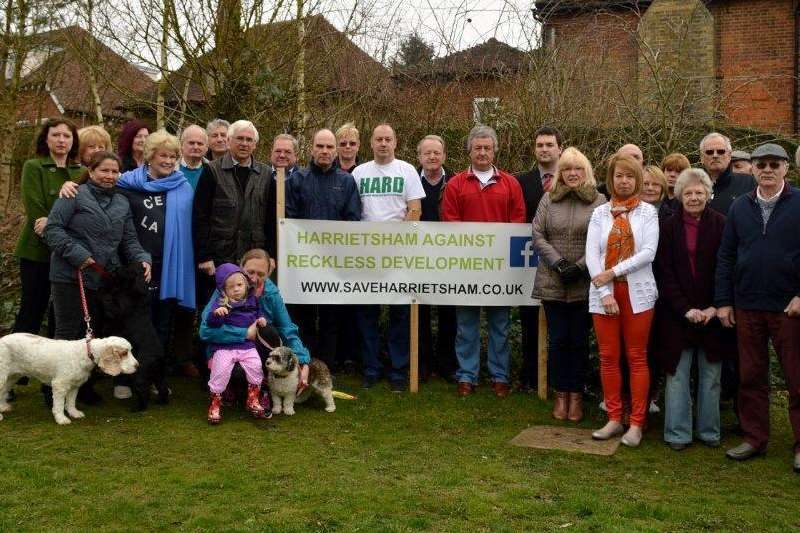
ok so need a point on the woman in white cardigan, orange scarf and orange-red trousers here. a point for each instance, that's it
(621, 245)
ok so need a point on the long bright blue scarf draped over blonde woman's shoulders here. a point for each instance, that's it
(177, 272)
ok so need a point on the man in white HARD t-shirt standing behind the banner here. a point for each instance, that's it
(390, 189)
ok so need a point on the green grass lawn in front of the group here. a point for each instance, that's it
(431, 462)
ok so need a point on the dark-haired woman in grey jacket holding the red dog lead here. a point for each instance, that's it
(88, 233)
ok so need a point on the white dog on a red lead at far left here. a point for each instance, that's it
(64, 365)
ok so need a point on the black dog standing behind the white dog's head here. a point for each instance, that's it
(126, 303)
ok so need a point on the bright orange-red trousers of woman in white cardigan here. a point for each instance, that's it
(632, 331)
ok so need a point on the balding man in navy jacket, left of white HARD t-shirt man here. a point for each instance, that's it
(321, 191)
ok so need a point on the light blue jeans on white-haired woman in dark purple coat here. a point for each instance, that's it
(678, 416)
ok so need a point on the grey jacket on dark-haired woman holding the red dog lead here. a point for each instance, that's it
(97, 224)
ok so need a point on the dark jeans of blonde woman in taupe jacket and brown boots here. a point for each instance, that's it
(567, 344)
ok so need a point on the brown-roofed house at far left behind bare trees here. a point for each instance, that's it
(55, 77)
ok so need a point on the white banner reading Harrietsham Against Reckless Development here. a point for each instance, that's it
(448, 263)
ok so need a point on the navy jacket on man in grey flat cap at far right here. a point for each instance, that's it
(759, 269)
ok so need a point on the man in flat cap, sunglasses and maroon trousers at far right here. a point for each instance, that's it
(758, 290)
